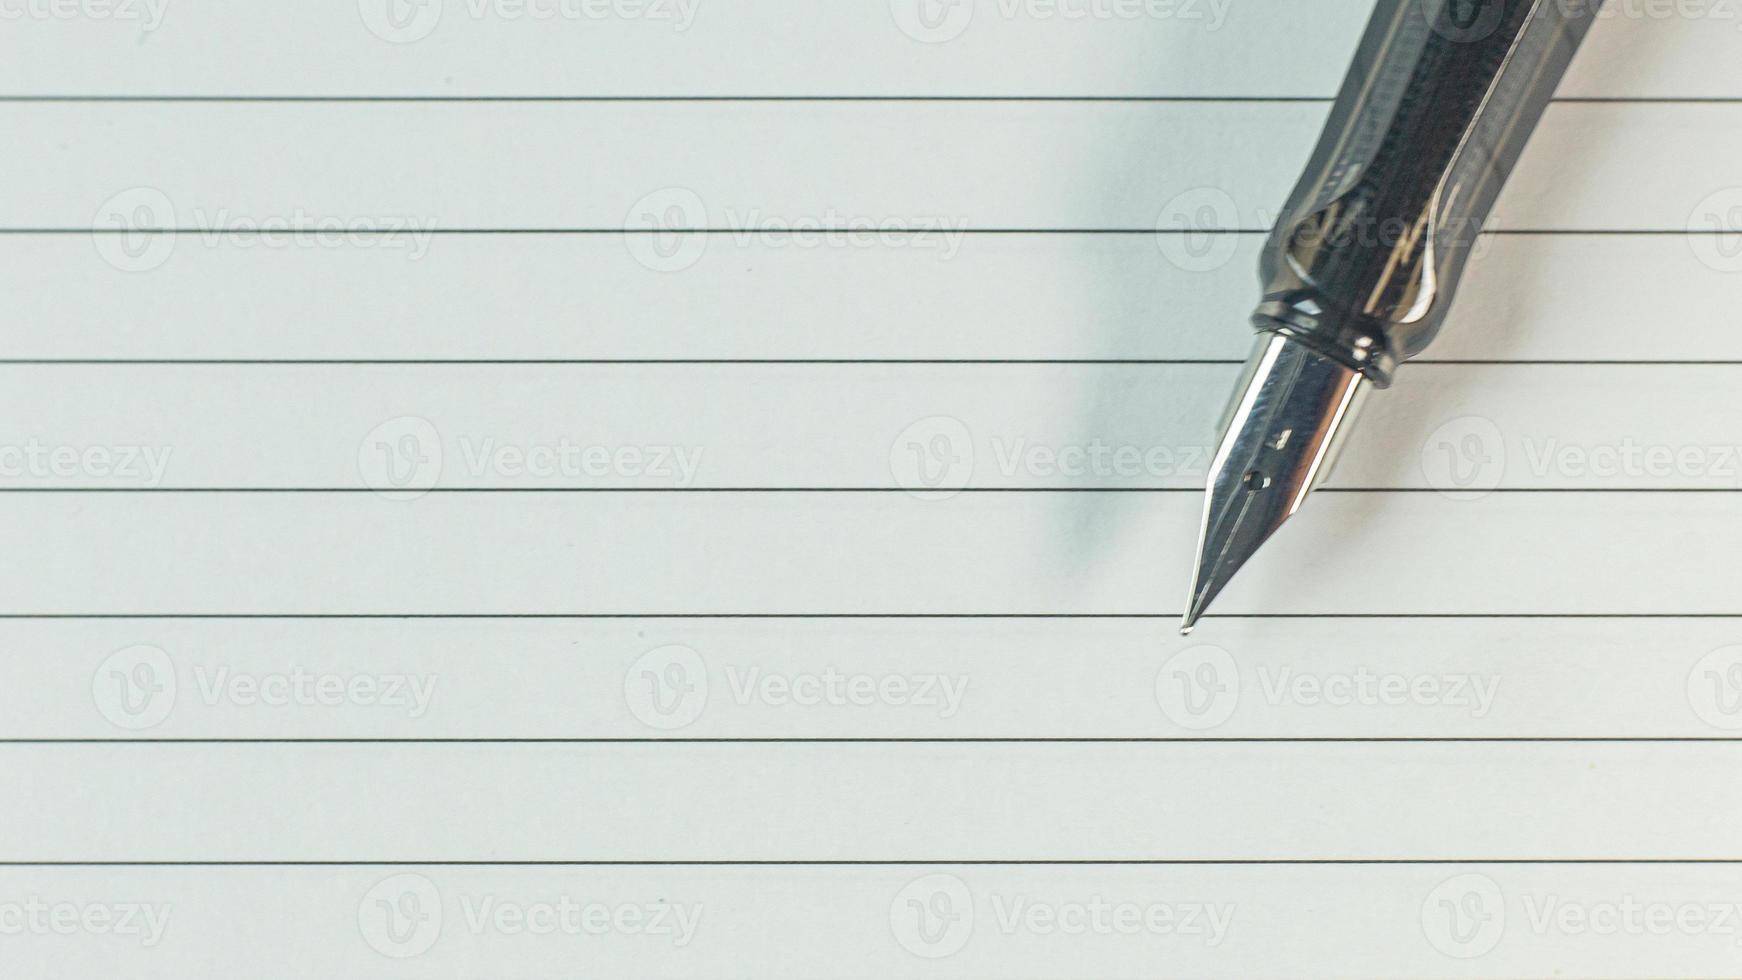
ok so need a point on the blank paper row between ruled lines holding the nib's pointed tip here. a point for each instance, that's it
(793, 553)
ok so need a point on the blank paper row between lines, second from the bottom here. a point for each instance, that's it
(922, 803)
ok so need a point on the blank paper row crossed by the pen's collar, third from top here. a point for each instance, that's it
(1077, 297)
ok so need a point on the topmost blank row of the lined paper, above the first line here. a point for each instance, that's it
(790, 48)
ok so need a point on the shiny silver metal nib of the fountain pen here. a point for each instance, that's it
(1279, 441)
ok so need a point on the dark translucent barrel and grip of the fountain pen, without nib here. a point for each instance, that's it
(1431, 121)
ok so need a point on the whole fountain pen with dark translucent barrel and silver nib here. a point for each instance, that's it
(1361, 269)
